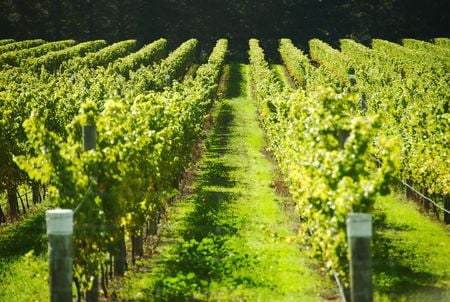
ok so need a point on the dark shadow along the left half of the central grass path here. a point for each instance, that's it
(205, 254)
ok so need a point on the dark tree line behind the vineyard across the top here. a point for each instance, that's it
(236, 20)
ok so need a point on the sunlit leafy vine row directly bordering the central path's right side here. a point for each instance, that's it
(324, 151)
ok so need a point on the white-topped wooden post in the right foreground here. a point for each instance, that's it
(359, 232)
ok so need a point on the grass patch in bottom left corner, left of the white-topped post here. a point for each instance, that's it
(23, 260)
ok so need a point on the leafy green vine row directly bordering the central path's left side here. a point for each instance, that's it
(144, 143)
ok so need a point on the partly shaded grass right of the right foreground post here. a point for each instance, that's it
(411, 253)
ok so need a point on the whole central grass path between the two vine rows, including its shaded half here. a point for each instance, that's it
(231, 240)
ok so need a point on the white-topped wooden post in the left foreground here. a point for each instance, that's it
(60, 250)
